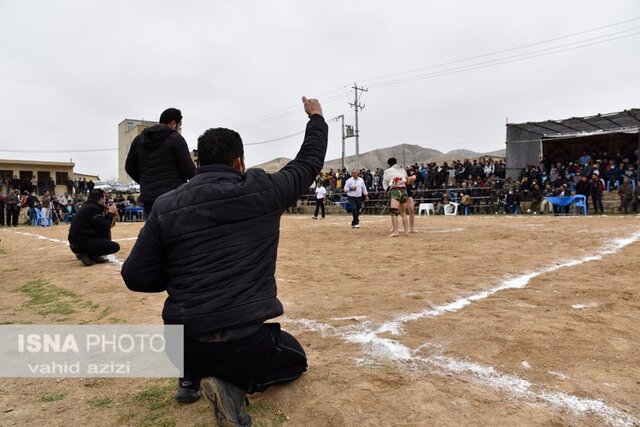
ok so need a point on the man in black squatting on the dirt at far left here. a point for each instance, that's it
(90, 231)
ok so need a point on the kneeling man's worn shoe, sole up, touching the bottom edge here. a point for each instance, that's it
(227, 401)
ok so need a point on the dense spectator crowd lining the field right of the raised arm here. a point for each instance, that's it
(481, 186)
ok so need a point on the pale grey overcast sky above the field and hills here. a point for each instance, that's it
(443, 75)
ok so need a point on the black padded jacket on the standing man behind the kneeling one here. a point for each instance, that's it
(159, 161)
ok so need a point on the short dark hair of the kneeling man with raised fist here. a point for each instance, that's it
(219, 146)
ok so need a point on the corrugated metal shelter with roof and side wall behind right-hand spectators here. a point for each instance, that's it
(564, 140)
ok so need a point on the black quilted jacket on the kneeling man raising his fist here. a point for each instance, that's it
(212, 243)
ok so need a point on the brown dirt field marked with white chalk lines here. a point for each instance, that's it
(478, 320)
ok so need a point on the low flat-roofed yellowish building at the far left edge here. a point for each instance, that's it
(23, 170)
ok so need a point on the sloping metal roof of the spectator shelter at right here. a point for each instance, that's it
(627, 120)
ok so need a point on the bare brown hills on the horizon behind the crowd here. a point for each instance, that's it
(405, 153)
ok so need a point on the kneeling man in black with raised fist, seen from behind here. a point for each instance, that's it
(212, 245)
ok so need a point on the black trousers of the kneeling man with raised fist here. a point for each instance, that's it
(267, 357)
